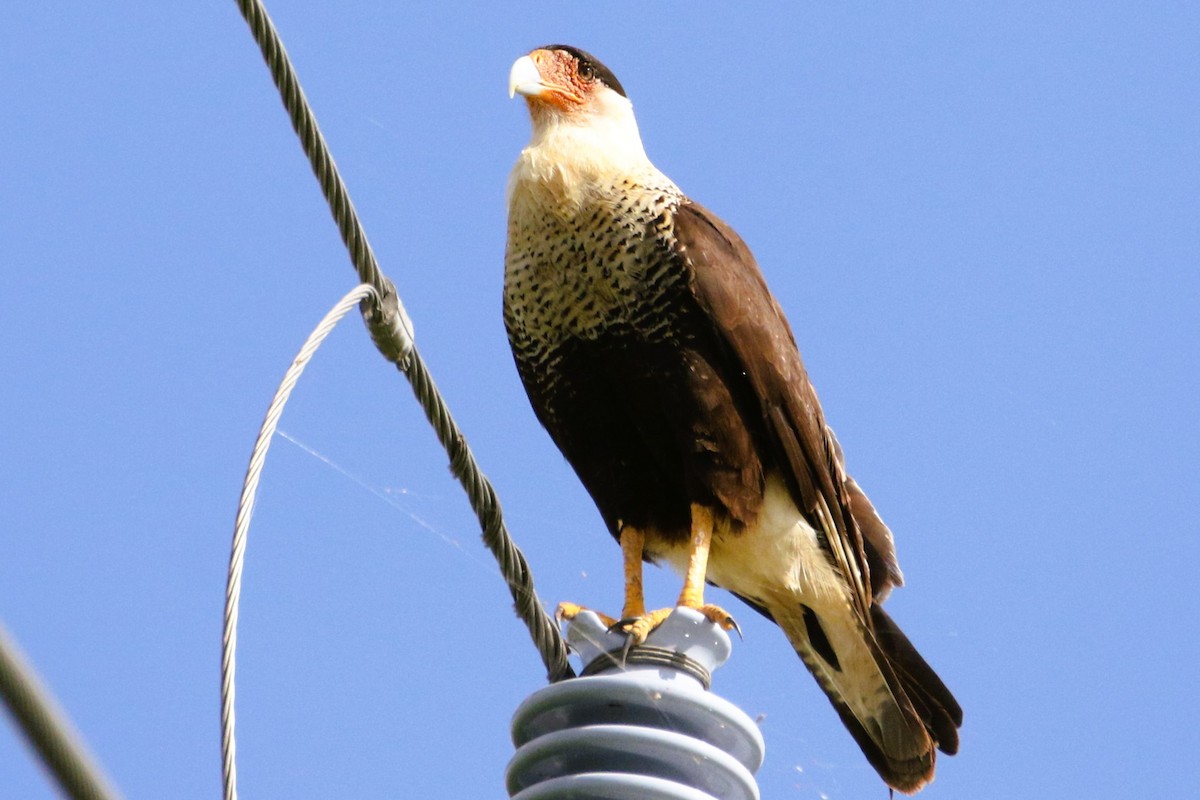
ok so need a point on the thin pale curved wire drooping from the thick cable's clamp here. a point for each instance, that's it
(242, 528)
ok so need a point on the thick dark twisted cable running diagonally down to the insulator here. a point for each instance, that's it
(393, 334)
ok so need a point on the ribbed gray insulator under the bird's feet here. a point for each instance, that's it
(645, 731)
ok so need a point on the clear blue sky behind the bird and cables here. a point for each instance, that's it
(981, 220)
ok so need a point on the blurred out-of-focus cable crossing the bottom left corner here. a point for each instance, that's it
(47, 727)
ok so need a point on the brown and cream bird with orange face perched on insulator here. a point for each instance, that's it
(665, 371)
